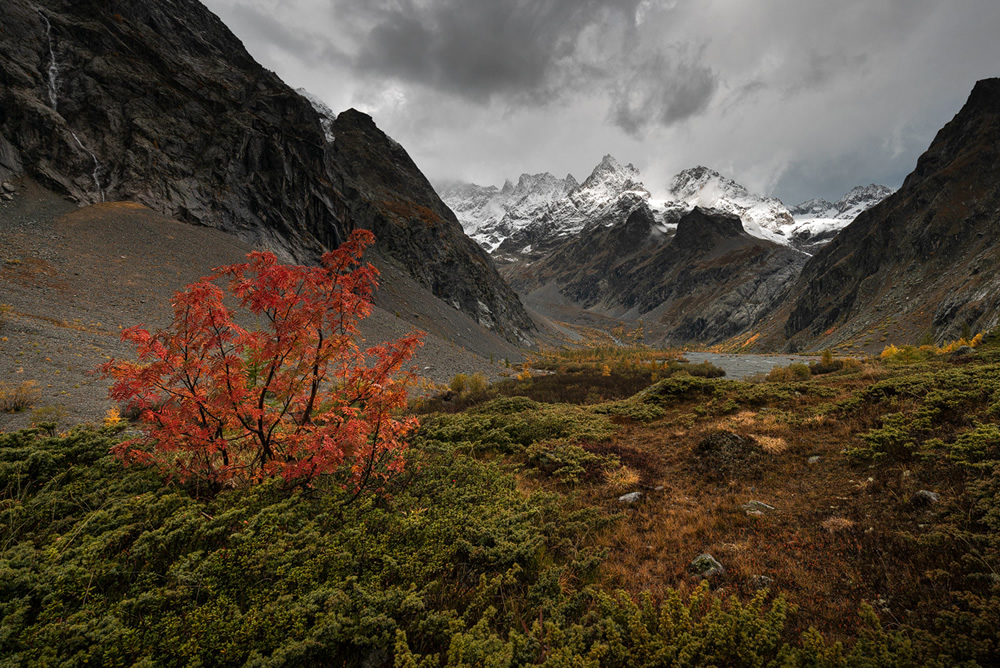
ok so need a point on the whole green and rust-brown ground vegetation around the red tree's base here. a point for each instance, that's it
(855, 515)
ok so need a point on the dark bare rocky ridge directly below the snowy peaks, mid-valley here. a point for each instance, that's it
(707, 282)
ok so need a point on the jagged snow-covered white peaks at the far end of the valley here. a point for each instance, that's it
(545, 205)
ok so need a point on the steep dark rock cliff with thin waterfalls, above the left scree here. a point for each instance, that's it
(159, 103)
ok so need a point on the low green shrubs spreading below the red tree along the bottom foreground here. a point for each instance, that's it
(453, 566)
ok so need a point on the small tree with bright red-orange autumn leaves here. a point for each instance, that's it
(292, 395)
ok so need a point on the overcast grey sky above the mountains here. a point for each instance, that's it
(794, 98)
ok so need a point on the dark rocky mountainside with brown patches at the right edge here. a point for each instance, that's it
(927, 255)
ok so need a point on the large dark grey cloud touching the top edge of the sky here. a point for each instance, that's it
(478, 50)
